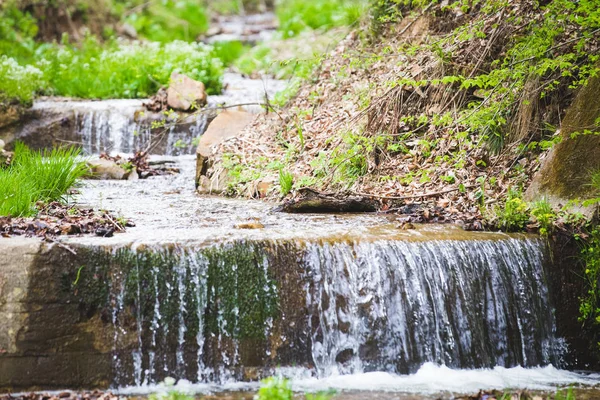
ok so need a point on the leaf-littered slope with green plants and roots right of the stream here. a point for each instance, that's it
(449, 104)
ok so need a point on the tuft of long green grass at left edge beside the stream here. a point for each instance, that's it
(38, 177)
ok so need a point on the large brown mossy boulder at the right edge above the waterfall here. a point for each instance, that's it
(565, 173)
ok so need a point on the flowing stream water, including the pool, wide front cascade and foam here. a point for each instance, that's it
(350, 302)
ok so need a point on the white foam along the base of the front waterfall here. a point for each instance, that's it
(429, 379)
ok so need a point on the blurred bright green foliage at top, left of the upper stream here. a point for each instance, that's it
(168, 20)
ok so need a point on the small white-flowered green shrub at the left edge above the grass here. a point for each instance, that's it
(18, 82)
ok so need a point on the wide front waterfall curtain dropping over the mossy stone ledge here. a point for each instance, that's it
(235, 310)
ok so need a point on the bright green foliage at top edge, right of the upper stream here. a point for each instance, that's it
(297, 15)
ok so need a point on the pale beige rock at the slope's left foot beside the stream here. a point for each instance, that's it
(226, 125)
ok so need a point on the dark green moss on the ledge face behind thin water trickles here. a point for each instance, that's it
(241, 296)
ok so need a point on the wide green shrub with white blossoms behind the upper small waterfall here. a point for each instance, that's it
(125, 70)
